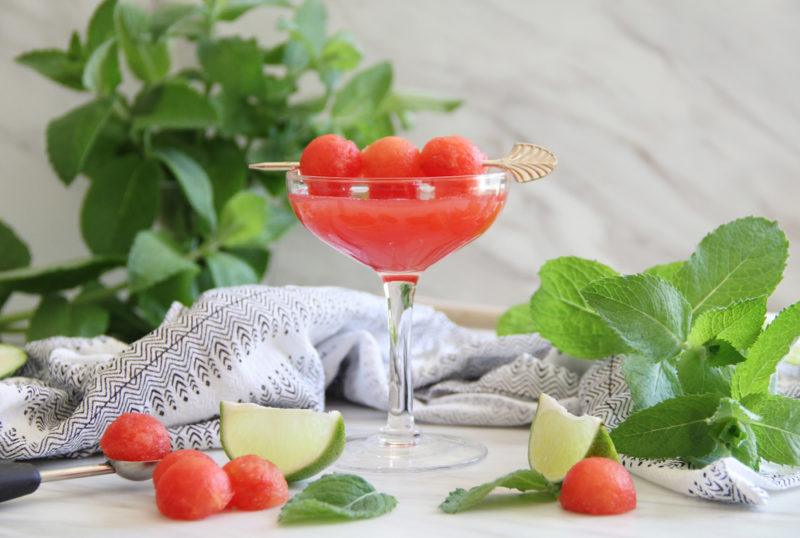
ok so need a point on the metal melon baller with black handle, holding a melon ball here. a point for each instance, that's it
(18, 479)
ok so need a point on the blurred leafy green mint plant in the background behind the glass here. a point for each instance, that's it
(171, 207)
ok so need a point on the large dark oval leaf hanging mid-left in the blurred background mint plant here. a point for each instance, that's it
(123, 199)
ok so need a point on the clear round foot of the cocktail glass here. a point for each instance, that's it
(370, 453)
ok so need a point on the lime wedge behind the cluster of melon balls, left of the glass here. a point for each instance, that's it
(299, 441)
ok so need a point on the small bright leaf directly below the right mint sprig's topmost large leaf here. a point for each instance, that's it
(739, 323)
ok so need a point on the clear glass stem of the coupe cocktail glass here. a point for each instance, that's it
(400, 429)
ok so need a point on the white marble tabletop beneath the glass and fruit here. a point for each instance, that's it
(109, 506)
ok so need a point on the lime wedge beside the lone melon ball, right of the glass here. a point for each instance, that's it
(559, 439)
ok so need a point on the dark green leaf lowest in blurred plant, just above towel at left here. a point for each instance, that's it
(55, 316)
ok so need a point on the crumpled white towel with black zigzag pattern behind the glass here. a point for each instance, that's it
(286, 346)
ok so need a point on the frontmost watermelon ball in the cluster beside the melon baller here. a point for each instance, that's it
(193, 488)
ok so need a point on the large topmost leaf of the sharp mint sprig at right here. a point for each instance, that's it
(743, 259)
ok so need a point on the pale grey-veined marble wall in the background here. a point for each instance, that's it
(668, 118)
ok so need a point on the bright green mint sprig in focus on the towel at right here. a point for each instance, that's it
(697, 358)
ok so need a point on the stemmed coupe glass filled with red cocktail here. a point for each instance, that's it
(399, 227)
